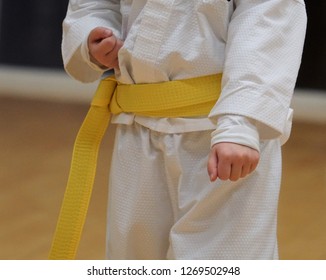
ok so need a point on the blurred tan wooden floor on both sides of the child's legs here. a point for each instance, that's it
(35, 149)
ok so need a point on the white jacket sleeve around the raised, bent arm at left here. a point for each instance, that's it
(83, 16)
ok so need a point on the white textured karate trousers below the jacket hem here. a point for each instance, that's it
(162, 204)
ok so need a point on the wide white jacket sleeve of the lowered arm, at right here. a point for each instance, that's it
(263, 56)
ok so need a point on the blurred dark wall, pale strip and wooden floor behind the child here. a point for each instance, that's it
(41, 109)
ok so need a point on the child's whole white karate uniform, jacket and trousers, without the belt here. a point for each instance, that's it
(162, 204)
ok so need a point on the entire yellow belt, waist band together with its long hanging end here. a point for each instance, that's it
(182, 98)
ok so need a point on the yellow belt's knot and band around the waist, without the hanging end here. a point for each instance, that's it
(173, 99)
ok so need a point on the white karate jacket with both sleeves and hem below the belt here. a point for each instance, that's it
(257, 44)
